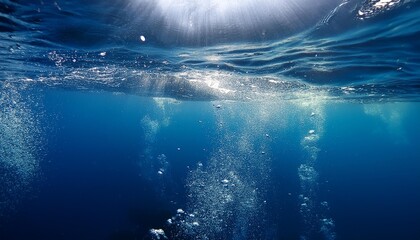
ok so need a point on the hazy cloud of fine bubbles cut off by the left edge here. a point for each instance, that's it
(18, 147)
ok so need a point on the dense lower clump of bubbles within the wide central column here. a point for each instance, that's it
(220, 198)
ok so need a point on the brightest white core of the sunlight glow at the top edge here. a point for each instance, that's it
(191, 16)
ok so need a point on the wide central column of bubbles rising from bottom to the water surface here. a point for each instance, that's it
(226, 193)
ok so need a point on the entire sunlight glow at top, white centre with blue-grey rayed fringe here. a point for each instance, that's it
(206, 21)
